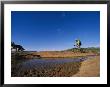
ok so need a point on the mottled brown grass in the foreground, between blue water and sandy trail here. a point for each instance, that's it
(58, 70)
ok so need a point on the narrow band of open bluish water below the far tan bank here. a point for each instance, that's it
(47, 63)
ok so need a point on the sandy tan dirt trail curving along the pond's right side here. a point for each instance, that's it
(89, 68)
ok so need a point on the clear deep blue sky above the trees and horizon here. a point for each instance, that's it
(44, 30)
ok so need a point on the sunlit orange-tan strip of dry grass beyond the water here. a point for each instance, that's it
(57, 54)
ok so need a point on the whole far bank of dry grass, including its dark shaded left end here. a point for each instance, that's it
(52, 54)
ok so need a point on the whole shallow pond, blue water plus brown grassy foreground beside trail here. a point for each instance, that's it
(47, 67)
